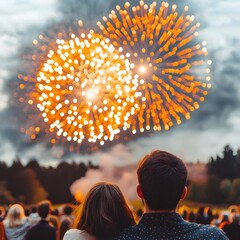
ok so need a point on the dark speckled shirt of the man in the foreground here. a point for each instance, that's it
(169, 226)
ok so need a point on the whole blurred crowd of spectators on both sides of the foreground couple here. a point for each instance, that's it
(43, 221)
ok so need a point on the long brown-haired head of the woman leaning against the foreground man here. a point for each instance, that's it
(104, 212)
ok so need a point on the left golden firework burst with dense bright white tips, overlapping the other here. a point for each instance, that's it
(84, 89)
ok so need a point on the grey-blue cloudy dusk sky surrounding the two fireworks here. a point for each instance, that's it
(215, 124)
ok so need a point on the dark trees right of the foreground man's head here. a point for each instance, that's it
(223, 182)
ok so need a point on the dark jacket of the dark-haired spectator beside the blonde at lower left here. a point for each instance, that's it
(41, 231)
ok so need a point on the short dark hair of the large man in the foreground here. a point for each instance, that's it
(162, 178)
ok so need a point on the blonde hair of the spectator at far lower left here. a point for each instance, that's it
(15, 216)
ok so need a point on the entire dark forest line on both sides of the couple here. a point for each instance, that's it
(33, 182)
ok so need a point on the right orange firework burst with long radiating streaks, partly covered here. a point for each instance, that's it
(168, 57)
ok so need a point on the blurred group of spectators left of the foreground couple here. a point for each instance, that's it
(41, 221)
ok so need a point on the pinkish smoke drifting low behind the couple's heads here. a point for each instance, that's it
(114, 167)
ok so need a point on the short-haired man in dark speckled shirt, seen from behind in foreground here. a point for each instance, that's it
(162, 184)
